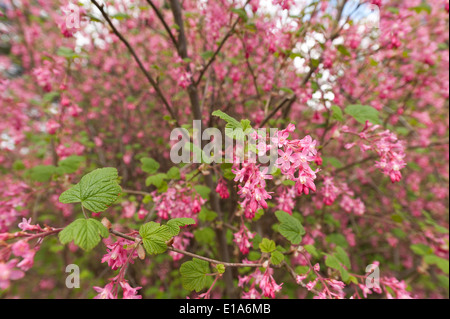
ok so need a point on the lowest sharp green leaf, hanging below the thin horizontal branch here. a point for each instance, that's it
(194, 275)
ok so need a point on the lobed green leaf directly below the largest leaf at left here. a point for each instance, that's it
(84, 232)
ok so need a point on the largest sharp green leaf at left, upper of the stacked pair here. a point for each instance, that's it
(96, 191)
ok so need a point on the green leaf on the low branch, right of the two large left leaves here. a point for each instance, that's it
(154, 237)
